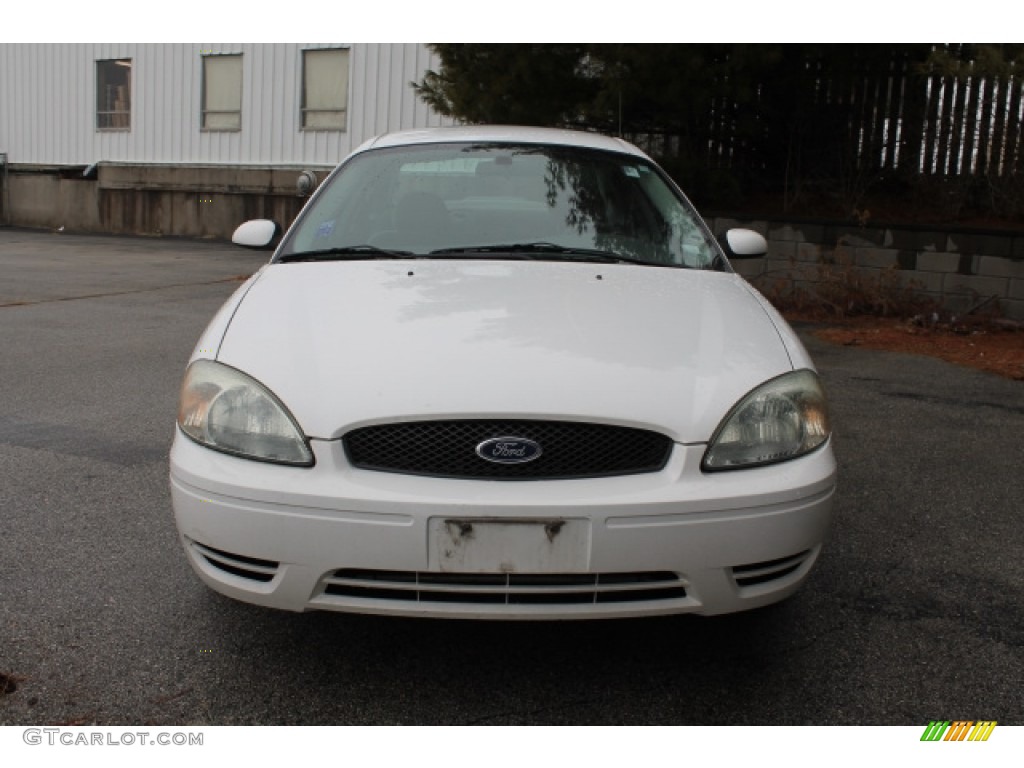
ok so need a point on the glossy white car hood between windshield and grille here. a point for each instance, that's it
(346, 345)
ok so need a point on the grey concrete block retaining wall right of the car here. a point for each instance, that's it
(958, 269)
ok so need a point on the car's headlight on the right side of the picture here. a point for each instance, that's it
(782, 419)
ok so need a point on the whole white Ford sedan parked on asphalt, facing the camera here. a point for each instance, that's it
(502, 373)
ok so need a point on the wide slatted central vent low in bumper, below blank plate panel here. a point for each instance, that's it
(508, 589)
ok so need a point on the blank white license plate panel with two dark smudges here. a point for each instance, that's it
(515, 546)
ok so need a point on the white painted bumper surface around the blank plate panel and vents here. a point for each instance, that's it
(329, 517)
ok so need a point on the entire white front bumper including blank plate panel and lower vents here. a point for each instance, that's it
(336, 538)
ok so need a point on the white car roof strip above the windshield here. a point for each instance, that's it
(502, 135)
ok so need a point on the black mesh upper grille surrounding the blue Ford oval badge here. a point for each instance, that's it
(448, 449)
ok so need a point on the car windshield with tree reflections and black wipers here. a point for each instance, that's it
(501, 201)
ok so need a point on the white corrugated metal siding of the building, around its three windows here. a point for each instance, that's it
(49, 102)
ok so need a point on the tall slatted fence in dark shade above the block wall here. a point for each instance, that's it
(878, 114)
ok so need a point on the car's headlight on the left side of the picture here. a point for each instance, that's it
(226, 410)
